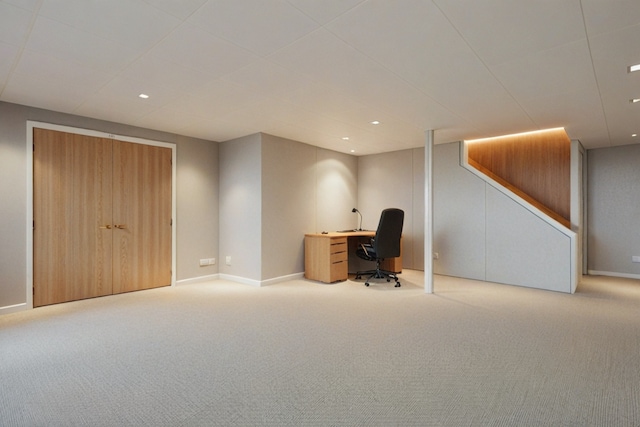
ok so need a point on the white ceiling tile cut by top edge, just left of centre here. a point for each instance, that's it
(262, 27)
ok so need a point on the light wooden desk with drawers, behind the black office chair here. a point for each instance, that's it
(326, 256)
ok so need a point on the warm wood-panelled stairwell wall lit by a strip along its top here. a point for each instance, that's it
(536, 166)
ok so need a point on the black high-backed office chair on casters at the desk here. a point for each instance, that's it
(385, 244)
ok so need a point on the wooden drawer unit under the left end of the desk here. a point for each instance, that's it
(326, 258)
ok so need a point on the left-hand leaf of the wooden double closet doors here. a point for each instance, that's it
(72, 243)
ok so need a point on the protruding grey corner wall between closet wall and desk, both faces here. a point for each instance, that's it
(272, 192)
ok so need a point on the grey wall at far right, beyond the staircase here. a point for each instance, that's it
(613, 210)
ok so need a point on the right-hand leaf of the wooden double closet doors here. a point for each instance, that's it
(142, 217)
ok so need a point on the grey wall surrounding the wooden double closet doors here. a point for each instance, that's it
(197, 209)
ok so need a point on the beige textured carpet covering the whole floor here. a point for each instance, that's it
(302, 353)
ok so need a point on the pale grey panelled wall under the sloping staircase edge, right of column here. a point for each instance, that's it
(481, 232)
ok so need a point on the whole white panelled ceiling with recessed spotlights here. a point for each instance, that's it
(320, 70)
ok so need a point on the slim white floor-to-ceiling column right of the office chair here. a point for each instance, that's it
(428, 212)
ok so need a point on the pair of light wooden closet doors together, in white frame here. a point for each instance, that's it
(102, 217)
